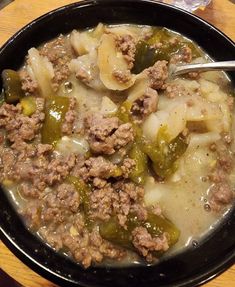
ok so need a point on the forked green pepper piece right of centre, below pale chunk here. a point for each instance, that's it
(164, 153)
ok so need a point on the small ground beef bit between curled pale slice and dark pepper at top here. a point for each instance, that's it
(127, 45)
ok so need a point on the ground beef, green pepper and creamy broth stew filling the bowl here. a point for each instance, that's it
(107, 158)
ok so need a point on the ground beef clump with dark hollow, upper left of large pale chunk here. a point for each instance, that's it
(145, 105)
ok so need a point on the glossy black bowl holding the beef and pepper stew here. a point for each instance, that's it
(190, 268)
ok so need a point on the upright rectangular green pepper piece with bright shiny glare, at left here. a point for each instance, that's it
(55, 110)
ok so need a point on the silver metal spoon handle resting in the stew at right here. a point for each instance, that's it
(214, 66)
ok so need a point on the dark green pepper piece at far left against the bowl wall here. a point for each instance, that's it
(12, 86)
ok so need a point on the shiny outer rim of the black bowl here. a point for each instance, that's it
(26, 258)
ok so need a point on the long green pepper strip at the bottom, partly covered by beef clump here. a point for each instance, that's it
(156, 226)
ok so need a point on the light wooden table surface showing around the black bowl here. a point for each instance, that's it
(221, 13)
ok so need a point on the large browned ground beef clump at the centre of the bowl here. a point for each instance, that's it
(107, 135)
